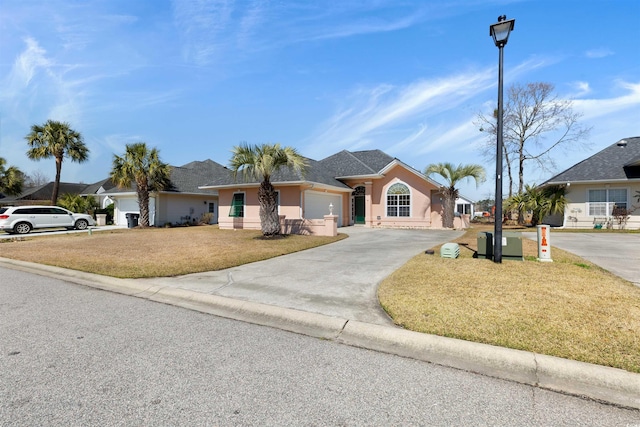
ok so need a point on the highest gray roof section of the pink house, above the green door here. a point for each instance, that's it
(357, 163)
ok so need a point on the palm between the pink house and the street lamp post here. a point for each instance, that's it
(453, 175)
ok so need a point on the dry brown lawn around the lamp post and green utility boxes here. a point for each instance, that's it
(569, 308)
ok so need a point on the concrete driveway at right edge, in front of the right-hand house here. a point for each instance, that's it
(617, 253)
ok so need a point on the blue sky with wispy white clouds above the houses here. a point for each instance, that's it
(194, 78)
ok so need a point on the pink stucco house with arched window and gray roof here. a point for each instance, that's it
(362, 187)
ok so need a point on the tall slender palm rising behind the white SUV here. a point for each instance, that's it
(57, 140)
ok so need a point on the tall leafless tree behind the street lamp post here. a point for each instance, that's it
(536, 121)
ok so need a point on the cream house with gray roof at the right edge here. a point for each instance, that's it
(594, 186)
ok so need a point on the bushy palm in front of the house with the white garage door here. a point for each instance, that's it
(143, 167)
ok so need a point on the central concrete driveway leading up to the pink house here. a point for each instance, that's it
(340, 279)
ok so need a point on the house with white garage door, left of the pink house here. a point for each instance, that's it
(184, 202)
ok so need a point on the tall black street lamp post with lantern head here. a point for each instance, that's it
(500, 33)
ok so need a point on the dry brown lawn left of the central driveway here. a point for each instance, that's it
(155, 252)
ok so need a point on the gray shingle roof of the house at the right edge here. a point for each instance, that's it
(614, 163)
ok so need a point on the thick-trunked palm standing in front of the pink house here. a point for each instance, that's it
(260, 162)
